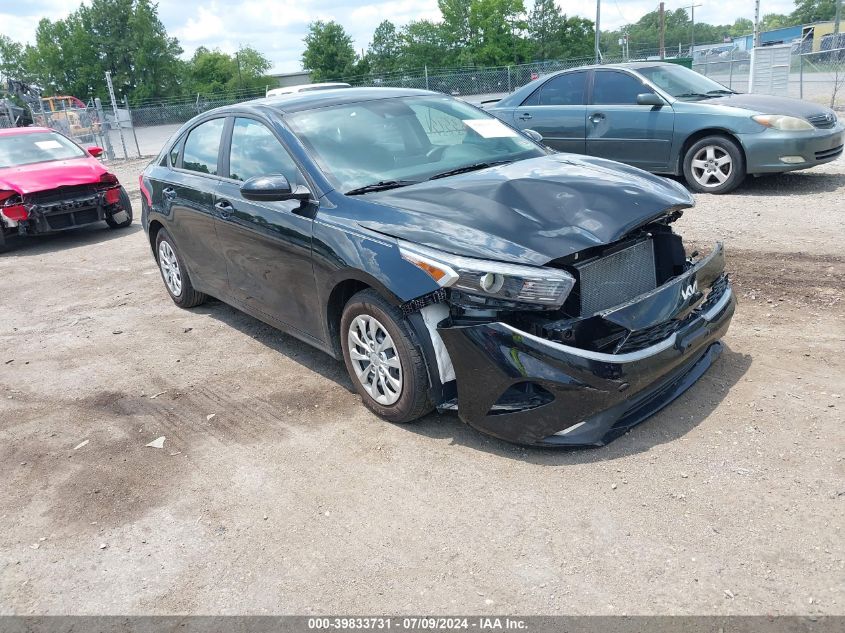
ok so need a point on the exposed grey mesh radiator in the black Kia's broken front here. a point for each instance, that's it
(610, 280)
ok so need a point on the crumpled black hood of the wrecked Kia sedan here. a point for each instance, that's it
(531, 211)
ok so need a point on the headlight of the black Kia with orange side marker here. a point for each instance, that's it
(495, 280)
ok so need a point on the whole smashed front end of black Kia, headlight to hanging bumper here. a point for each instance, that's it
(592, 345)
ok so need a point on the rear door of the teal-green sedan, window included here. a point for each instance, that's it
(556, 110)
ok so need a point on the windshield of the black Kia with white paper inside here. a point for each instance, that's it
(405, 140)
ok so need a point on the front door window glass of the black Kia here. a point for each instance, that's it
(257, 152)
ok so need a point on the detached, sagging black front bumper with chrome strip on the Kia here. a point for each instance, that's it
(586, 397)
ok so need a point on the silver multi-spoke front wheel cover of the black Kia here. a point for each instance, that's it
(375, 359)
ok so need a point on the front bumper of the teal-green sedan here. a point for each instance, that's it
(818, 146)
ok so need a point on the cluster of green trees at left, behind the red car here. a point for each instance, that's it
(127, 38)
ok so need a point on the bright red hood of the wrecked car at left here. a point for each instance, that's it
(43, 176)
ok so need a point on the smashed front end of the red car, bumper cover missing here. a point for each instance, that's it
(63, 207)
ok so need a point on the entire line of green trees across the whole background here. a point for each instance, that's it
(127, 38)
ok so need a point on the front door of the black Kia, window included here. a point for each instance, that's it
(267, 245)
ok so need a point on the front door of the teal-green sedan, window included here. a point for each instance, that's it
(619, 129)
